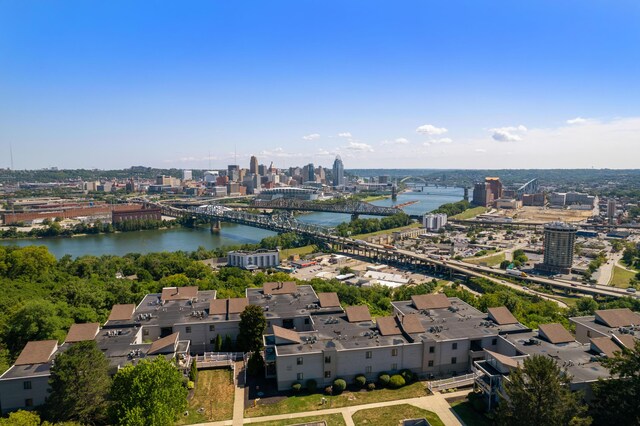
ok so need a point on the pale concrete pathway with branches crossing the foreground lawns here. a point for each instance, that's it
(435, 403)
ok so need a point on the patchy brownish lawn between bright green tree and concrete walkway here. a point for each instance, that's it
(214, 392)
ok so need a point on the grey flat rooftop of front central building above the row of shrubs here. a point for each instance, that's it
(335, 331)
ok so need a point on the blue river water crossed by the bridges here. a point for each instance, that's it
(190, 239)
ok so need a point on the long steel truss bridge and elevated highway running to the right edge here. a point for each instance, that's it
(328, 236)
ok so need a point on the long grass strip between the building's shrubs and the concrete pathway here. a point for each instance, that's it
(295, 404)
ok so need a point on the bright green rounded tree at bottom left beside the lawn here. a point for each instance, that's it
(150, 394)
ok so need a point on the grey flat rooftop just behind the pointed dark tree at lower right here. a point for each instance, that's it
(576, 357)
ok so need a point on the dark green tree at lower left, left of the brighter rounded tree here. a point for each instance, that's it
(79, 385)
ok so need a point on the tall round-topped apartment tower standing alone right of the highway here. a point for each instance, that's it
(559, 239)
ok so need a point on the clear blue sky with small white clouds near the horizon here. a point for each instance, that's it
(393, 84)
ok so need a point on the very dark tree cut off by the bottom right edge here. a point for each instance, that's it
(616, 400)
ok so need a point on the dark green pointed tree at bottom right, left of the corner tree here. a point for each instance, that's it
(538, 394)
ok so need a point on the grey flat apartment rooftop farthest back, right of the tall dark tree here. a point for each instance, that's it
(302, 301)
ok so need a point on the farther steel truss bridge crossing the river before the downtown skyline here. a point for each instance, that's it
(354, 208)
